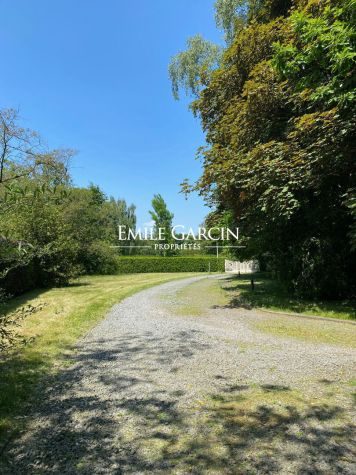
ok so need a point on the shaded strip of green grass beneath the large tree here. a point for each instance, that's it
(271, 295)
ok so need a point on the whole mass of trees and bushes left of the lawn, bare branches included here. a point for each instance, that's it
(50, 231)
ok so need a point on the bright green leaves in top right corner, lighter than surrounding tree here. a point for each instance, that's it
(319, 59)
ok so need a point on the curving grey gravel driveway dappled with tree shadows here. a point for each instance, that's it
(137, 398)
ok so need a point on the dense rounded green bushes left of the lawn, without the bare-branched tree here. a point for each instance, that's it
(66, 238)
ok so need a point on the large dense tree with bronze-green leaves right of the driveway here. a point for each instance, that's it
(279, 120)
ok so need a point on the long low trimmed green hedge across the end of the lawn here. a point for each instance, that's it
(140, 264)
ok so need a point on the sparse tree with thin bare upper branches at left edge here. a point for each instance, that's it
(31, 178)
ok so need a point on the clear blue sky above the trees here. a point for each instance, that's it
(92, 75)
